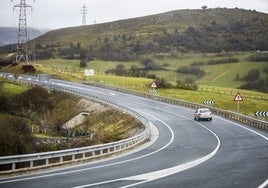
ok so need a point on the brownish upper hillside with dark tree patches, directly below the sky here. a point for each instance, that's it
(211, 30)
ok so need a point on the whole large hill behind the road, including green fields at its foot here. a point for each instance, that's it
(211, 47)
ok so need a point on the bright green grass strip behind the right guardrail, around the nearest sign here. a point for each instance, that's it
(223, 97)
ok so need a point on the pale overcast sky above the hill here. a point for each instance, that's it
(53, 14)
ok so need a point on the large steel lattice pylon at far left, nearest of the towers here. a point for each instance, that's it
(22, 46)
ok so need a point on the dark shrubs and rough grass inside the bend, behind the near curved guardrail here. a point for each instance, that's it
(31, 121)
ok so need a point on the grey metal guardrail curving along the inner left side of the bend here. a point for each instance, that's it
(11, 163)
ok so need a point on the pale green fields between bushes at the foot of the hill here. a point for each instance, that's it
(221, 75)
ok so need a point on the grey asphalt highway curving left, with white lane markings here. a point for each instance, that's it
(182, 153)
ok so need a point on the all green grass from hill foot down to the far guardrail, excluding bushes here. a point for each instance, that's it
(218, 84)
